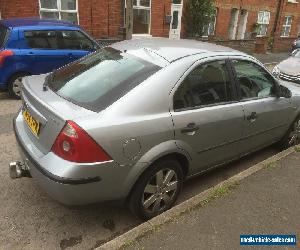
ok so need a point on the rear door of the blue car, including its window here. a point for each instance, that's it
(43, 51)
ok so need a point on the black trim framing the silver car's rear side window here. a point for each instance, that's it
(231, 80)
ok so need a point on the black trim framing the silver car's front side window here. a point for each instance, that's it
(237, 85)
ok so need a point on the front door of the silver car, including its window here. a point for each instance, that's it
(267, 116)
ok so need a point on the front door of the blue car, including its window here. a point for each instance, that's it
(75, 44)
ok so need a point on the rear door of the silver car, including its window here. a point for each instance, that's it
(207, 119)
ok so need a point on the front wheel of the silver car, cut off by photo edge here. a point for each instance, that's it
(292, 137)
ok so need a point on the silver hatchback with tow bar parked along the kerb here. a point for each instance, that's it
(134, 120)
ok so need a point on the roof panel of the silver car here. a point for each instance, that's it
(170, 49)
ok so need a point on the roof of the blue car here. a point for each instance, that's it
(25, 22)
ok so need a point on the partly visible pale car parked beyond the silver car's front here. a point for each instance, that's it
(289, 69)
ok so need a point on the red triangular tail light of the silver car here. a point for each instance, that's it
(75, 145)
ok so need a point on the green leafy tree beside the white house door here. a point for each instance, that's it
(198, 14)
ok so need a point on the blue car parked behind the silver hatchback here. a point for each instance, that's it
(38, 46)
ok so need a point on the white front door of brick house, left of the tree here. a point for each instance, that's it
(175, 26)
